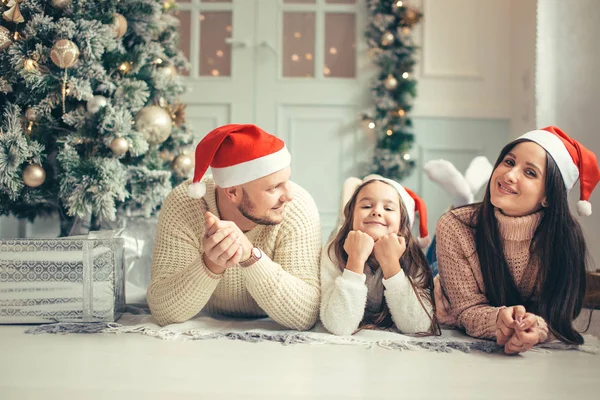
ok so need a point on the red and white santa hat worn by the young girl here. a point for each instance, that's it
(413, 203)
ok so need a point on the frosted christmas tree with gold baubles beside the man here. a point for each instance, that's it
(90, 120)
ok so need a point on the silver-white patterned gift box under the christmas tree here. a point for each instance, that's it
(72, 279)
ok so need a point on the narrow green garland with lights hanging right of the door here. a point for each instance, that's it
(389, 37)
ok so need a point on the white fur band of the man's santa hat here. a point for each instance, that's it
(251, 170)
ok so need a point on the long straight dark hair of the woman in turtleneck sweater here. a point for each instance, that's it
(559, 247)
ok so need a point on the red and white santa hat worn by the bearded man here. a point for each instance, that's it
(237, 154)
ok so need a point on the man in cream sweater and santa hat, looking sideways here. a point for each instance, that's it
(244, 242)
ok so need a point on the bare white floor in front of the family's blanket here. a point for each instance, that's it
(130, 366)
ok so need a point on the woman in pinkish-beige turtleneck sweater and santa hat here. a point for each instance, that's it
(512, 267)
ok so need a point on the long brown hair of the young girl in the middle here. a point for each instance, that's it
(413, 262)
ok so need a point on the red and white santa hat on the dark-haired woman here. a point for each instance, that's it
(574, 161)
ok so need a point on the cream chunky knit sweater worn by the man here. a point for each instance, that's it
(283, 284)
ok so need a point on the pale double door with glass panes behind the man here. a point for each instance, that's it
(294, 70)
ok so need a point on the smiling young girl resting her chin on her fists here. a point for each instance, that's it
(373, 273)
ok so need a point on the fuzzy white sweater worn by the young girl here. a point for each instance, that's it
(346, 296)
